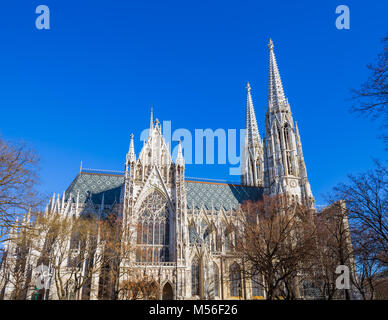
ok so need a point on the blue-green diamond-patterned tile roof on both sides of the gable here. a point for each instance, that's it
(229, 196)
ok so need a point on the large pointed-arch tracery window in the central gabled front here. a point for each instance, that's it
(153, 230)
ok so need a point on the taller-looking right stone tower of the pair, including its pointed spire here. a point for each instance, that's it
(285, 170)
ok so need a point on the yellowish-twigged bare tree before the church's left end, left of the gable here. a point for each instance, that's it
(70, 247)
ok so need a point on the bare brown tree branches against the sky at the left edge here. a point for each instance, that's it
(18, 168)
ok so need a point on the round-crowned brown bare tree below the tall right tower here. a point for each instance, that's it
(276, 238)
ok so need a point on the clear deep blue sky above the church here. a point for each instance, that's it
(77, 91)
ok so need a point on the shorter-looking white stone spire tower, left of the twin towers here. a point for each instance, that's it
(252, 163)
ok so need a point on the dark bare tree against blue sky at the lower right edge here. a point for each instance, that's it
(366, 198)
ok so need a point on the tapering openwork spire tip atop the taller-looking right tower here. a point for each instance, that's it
(276, 97)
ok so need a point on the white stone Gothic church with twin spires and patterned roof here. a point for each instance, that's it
(179, 225)
